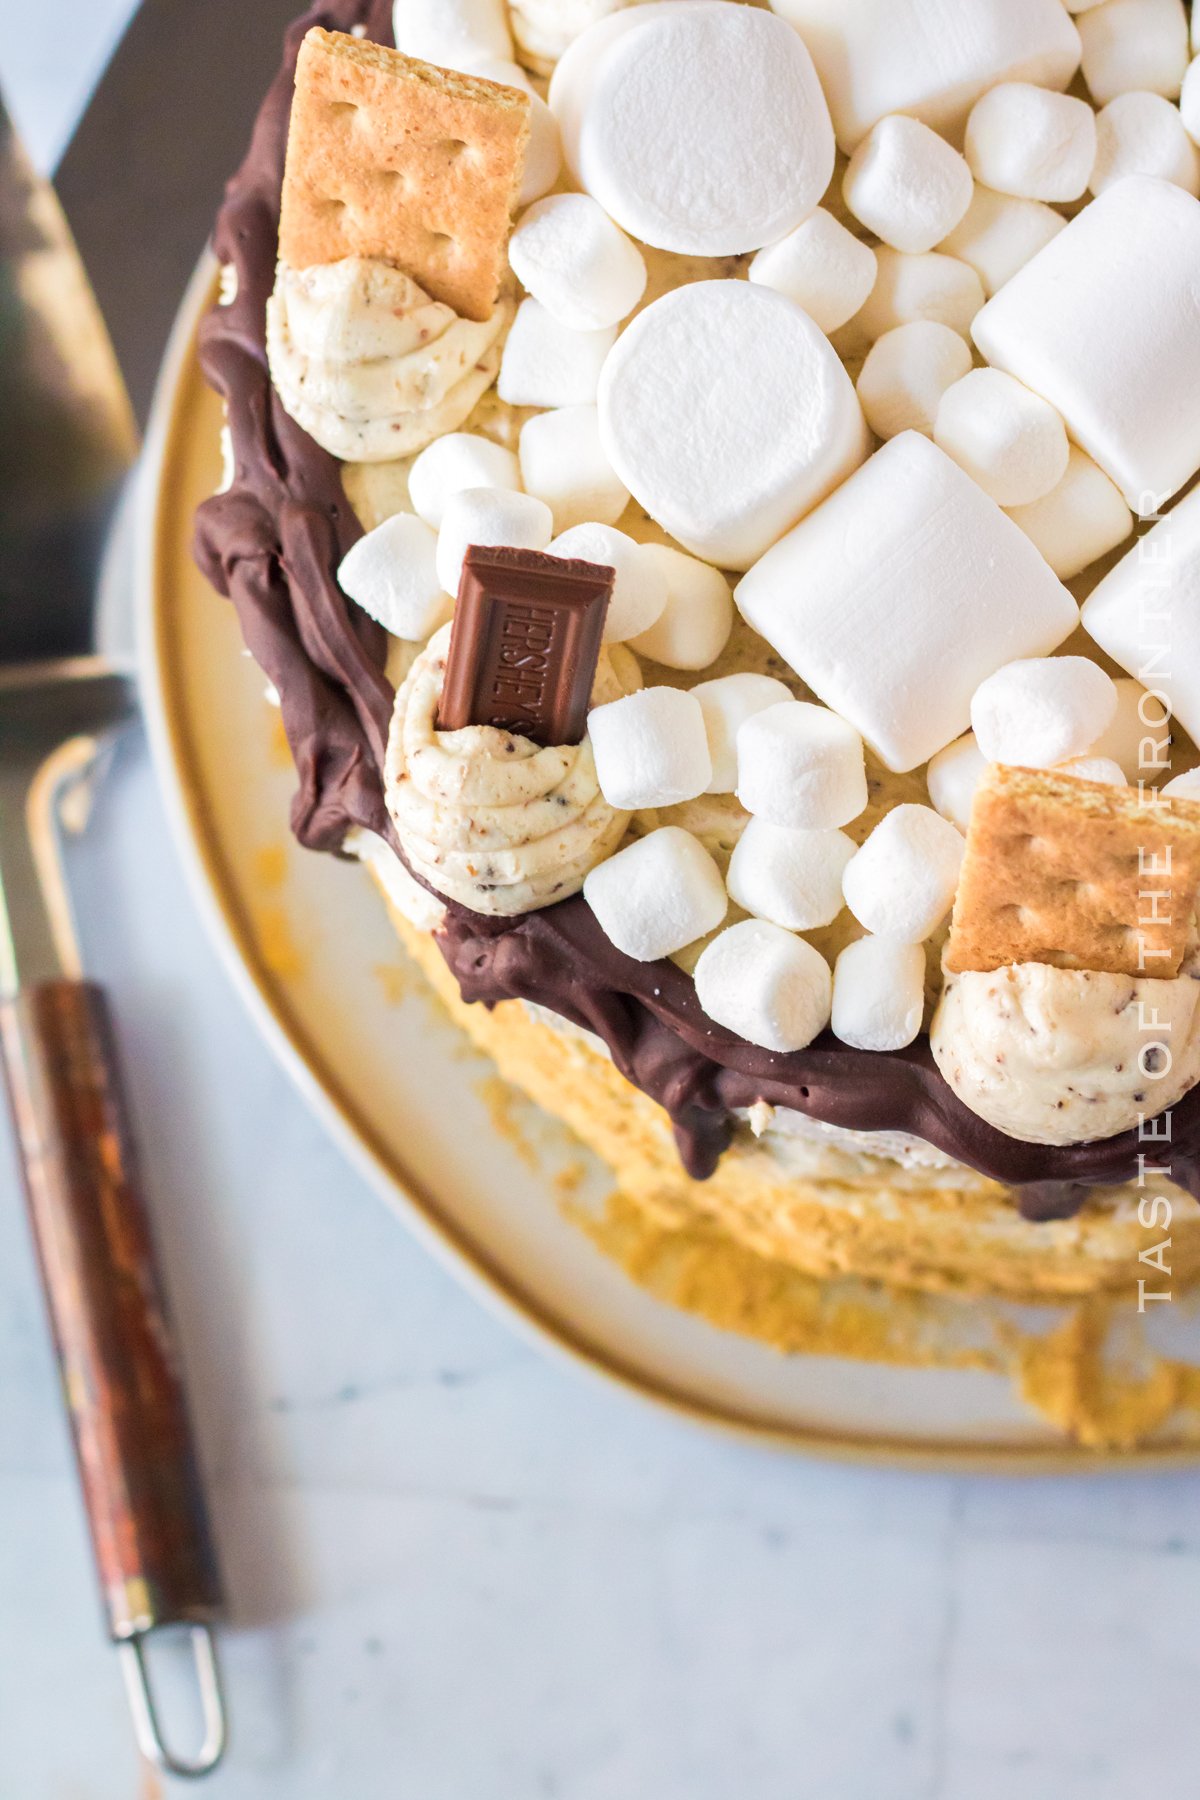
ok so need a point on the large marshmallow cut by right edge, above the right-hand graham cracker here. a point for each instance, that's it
(1147, 611)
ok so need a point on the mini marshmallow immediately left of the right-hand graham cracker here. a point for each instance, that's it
(902, 881)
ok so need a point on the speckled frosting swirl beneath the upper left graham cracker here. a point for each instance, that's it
(368, 364)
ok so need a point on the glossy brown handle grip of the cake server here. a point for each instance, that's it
(120, 1371)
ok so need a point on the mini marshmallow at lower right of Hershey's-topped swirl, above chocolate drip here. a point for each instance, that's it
(658, 895)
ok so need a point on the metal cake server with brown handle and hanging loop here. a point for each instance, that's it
(66, 451)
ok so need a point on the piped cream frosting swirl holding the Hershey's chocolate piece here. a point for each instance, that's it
(488, 818)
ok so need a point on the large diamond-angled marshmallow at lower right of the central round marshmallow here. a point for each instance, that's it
(900, 595)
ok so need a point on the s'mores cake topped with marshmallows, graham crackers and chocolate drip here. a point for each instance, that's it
(713, 490)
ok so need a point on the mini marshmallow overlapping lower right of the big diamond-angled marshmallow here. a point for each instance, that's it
(1041, 712)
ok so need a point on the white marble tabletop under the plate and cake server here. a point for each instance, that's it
(465, 1574)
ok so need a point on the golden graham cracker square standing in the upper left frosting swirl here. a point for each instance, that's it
(400, 161)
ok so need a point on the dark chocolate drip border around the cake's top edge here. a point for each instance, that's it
(273, 544)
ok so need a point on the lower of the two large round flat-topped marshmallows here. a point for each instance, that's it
(728, 415)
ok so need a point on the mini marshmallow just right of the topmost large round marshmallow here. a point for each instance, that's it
(908, 184)
